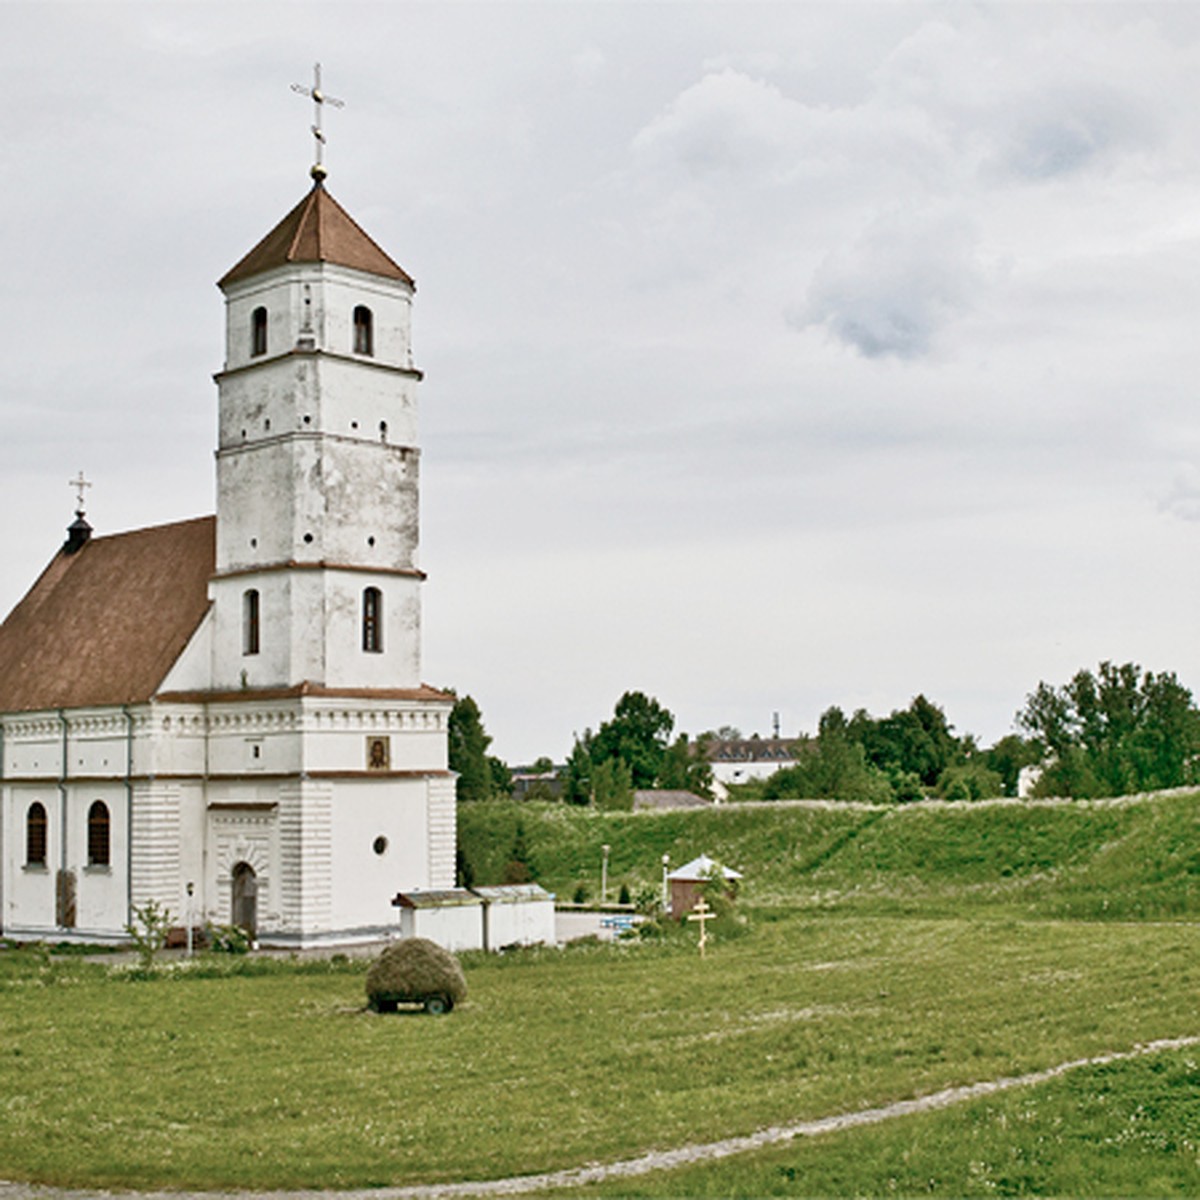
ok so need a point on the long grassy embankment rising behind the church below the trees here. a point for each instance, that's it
(1138, 860)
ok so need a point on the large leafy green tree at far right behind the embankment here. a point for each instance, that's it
(1114, 733)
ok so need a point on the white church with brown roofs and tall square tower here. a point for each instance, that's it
(226, 716)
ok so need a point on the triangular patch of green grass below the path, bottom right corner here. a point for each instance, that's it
(1125, 1130)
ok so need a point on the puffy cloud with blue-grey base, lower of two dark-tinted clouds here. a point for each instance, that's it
(891, 292)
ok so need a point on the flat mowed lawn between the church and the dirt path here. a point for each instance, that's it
(560, 1058)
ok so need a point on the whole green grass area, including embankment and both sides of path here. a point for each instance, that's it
(887, 973)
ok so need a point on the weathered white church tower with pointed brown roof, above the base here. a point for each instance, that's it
(316, 577)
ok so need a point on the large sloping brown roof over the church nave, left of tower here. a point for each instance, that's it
(105, 626)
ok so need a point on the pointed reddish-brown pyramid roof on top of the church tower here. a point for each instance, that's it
(319, 230)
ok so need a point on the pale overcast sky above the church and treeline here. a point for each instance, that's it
(777, 356)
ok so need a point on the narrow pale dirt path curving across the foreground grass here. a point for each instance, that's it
(656, 1161)
